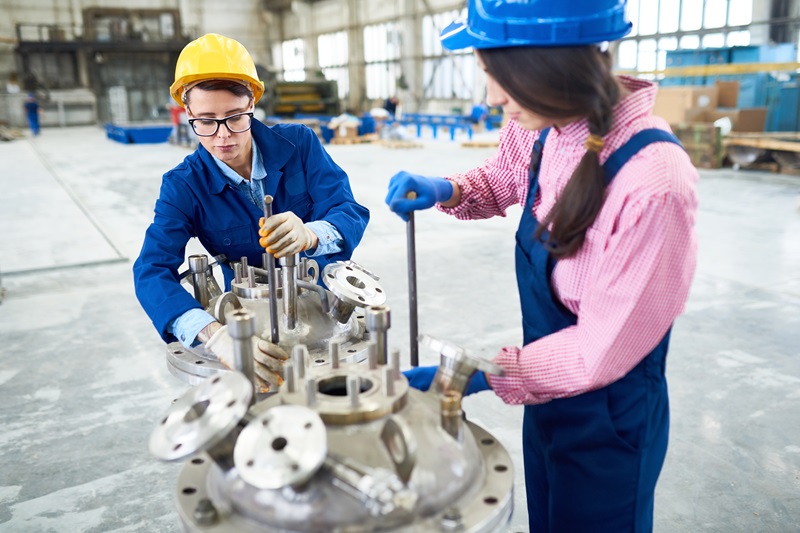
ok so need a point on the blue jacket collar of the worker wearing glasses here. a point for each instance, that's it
(275, 149)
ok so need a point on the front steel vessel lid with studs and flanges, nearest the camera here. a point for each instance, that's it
(350, 448)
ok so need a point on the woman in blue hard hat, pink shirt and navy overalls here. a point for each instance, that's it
(605, 254)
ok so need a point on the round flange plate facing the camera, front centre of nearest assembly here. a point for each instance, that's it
(283, 446)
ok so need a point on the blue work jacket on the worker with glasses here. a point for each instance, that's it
(197, 200)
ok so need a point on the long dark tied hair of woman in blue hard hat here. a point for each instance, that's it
(561, 83)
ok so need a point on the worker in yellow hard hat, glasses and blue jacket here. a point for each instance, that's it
(216, 194)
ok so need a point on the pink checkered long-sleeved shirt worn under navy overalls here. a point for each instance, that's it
(631, 278)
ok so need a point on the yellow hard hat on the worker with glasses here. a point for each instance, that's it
(214, 57)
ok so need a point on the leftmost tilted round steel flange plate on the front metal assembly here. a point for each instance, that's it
(202, 417)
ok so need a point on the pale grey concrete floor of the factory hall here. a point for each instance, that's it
(83, 380)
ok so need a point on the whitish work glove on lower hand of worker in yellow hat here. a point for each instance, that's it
(270, 359)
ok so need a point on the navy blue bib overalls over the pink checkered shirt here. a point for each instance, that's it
(592, 460)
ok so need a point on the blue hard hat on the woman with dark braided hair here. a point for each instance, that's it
(501, 23)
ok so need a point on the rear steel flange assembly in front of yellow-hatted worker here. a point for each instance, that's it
(305, 312)
